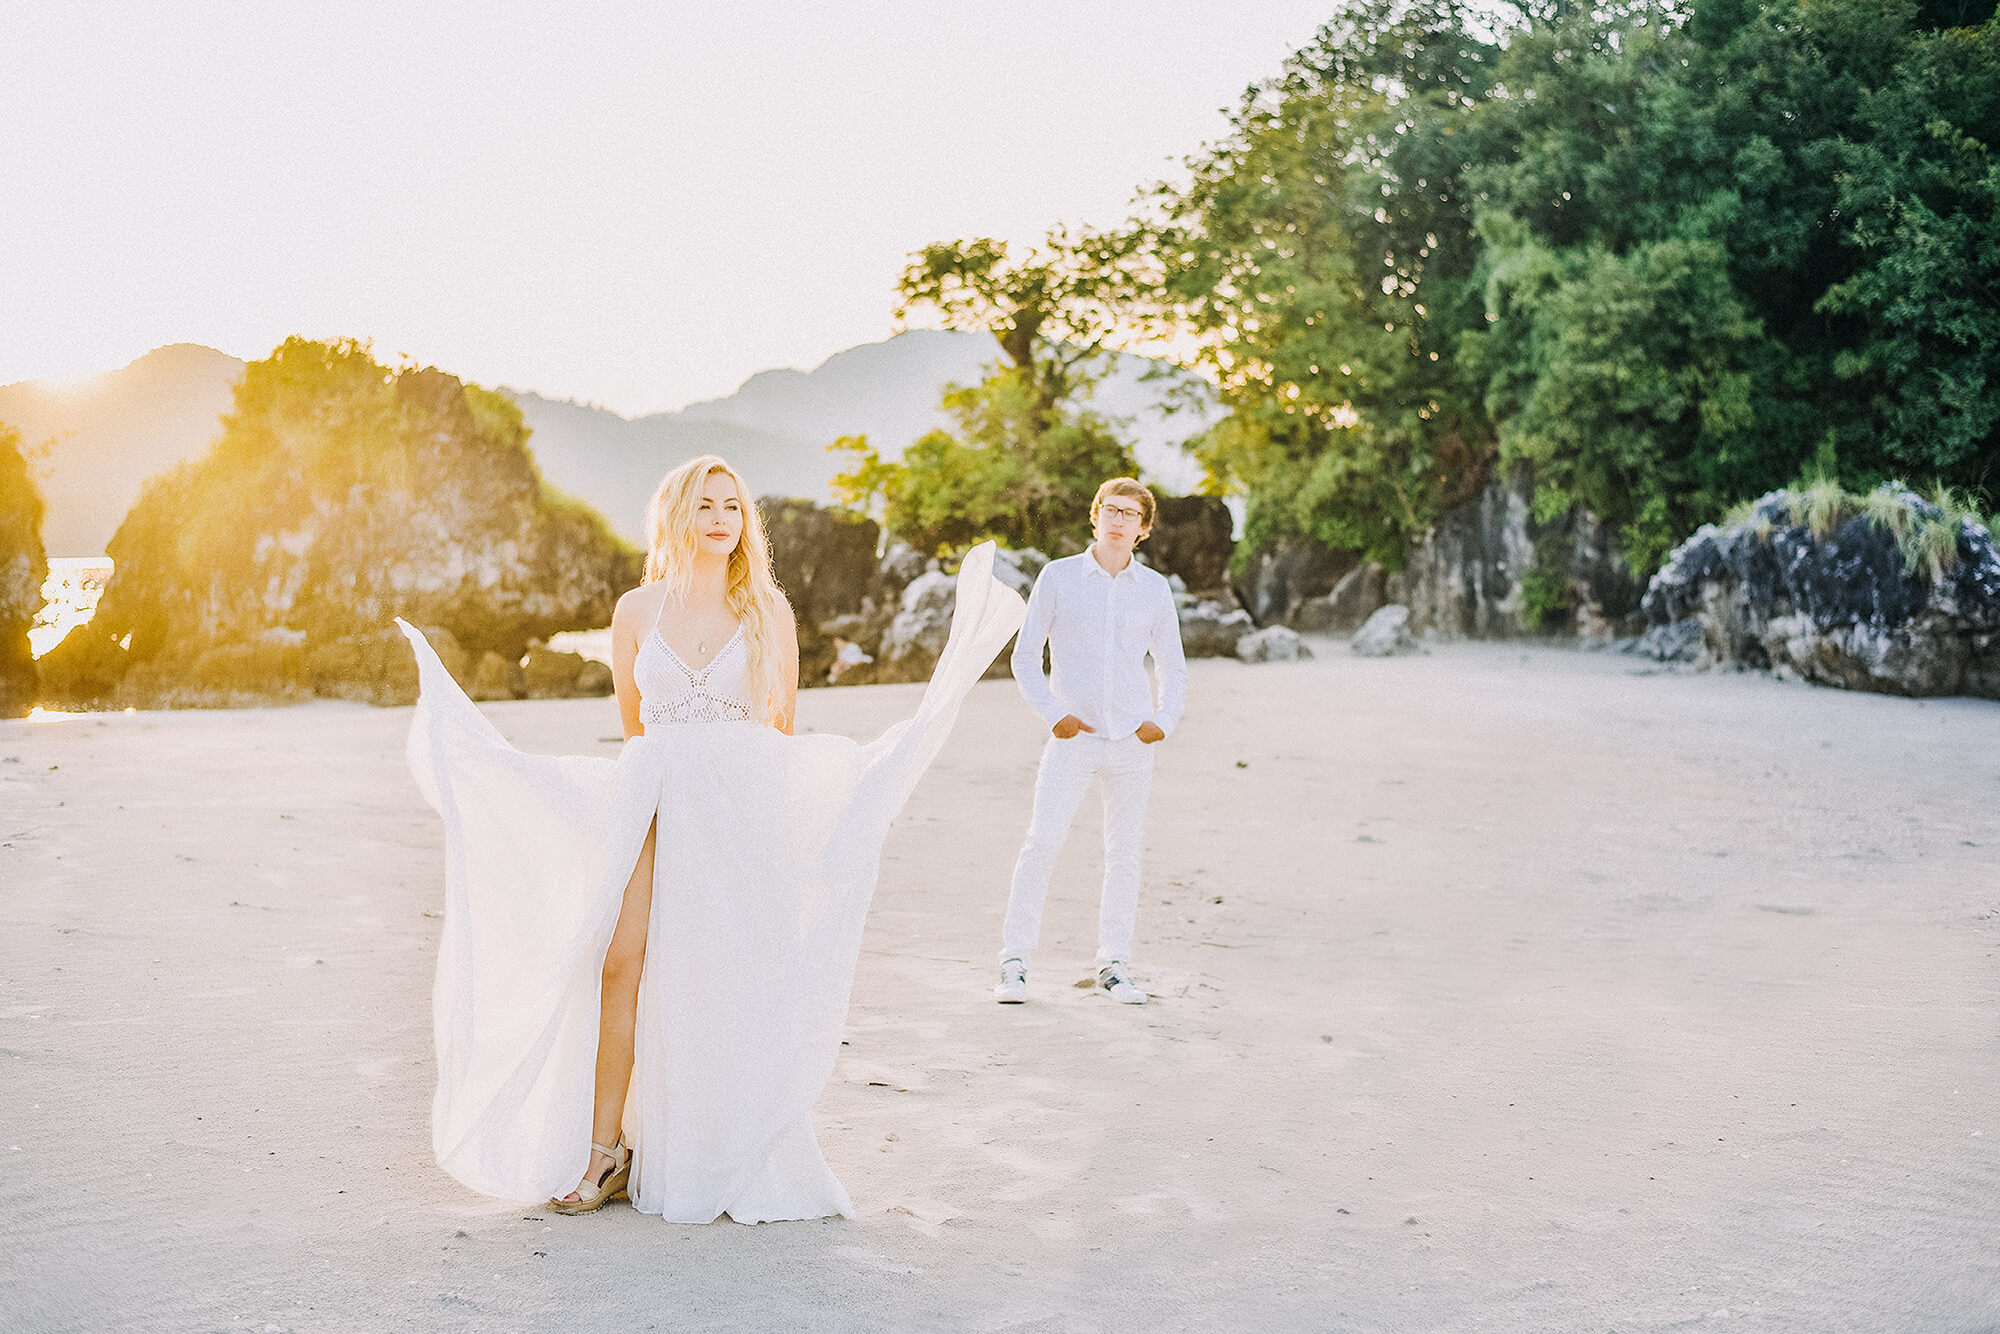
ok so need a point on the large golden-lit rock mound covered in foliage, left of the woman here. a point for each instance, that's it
(339, 497)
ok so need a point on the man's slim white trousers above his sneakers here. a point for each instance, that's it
(1125, 769)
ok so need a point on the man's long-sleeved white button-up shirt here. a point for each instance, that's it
(1101, 627)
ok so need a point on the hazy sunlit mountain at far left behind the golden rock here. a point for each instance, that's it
(115, 433)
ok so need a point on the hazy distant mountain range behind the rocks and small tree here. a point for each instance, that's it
(165, 409)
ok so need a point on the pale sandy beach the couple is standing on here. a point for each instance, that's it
(1497, 989)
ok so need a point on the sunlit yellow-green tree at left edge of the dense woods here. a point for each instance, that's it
(1321, 259)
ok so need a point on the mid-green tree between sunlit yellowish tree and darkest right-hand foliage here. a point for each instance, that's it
(1615, 351)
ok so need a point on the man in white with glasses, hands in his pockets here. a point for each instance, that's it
(1101, 615)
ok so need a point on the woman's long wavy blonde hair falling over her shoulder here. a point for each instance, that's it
(749, 587)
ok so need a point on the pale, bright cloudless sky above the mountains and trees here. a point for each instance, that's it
(633, 205)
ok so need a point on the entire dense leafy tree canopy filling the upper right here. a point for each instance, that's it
(1671, 255)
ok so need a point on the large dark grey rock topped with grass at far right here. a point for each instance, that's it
(1843, 605)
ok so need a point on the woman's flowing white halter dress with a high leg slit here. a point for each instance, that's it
(763, 873)
